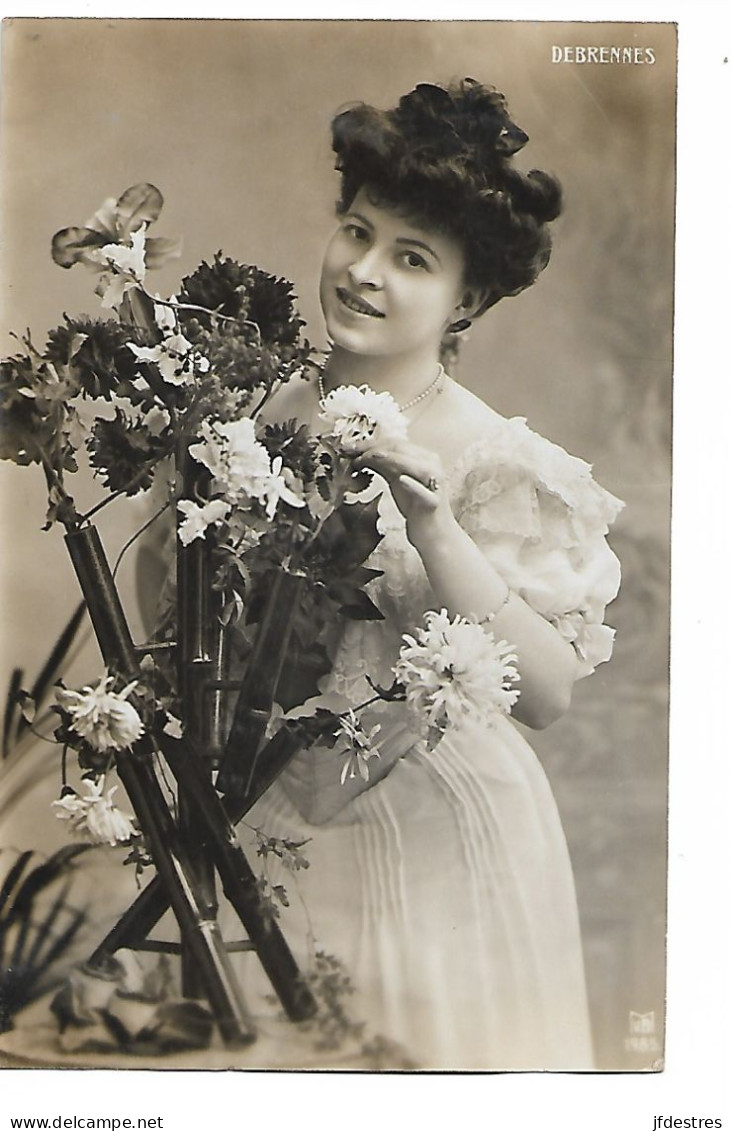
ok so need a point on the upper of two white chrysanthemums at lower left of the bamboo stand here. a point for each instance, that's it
(102, 718)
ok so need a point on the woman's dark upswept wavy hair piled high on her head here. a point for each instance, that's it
(444, 158)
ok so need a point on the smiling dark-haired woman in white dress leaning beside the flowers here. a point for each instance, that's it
(444, 883)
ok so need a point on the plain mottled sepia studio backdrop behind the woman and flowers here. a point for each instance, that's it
(231, 122)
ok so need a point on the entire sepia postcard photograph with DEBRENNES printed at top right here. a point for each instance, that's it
(337, 395)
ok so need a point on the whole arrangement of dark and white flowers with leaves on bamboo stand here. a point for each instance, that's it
(275, 516)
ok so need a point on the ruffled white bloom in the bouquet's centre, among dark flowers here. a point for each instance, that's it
(242, 465)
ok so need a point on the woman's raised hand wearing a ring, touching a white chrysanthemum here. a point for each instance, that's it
(416, 478)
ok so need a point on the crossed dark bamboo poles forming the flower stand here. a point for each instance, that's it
(192, 854)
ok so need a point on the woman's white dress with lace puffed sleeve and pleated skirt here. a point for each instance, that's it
(446, 887)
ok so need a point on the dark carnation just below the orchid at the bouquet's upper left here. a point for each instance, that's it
(102, 364)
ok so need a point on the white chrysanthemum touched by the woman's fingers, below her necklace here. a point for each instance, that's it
(355, 419)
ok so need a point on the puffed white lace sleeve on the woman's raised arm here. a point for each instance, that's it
(542, 521)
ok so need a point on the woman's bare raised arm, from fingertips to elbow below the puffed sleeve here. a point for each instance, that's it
(464, 582)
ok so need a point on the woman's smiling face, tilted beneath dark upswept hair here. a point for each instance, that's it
(389, 287)
